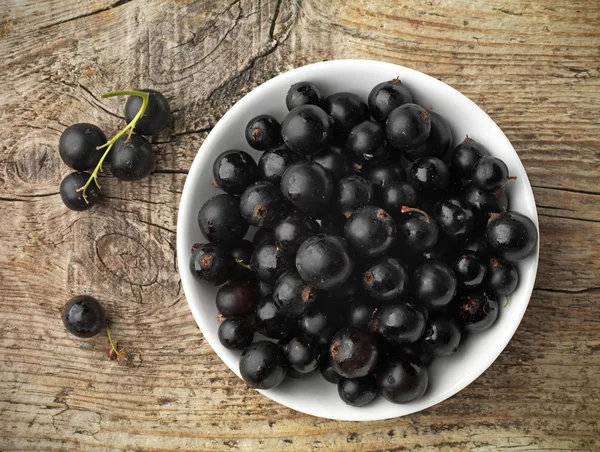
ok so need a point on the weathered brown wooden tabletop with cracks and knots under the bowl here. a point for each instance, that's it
(533, 66)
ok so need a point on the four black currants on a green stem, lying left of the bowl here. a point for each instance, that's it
(83, 147)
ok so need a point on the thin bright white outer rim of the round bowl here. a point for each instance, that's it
(198, 165)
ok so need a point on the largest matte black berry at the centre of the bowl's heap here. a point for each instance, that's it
(323, 261)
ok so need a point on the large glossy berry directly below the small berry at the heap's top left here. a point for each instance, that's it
(306, 129)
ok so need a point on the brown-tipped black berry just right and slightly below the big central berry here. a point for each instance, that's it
(385, 278)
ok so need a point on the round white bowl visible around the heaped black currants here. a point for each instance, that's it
(314, 395)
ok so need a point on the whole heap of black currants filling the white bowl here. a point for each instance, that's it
(380, 247)
